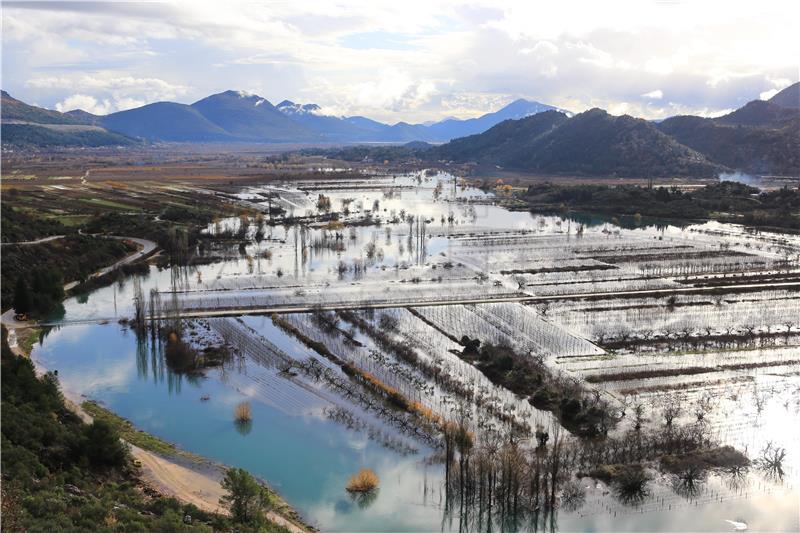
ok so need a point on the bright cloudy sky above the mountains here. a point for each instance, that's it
(405, 60)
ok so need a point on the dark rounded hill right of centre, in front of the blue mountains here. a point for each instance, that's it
(590, 143)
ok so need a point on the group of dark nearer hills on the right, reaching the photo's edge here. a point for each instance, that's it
(762, 137)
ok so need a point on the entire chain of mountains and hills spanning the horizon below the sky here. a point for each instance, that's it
(762, 137)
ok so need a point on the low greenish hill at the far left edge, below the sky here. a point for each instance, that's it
(24, 125)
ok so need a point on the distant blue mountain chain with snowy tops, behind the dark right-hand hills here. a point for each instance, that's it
(236, 116)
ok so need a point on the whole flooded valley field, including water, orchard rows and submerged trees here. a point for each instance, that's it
(415, 326)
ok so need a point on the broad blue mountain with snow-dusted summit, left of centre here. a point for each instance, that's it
(249, 117)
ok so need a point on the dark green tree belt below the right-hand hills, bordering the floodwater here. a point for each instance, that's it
(728, 201)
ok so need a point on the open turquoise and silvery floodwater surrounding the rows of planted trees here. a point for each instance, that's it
(307, 456)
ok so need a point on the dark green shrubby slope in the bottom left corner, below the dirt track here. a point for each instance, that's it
(60, 474)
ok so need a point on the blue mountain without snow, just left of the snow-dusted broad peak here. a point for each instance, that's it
(166, 121)
